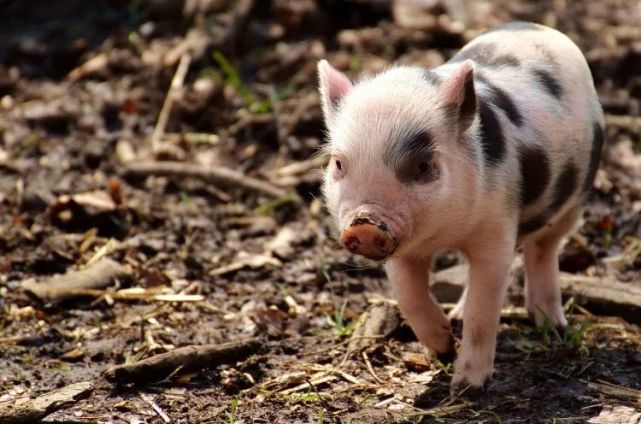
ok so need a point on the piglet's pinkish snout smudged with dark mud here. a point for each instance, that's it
(369, 236)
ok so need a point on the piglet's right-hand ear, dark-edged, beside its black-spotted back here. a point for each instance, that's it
(457, 91)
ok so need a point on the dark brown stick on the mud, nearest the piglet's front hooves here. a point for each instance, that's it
(184, 359)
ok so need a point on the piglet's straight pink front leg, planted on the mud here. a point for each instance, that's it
(489, 269)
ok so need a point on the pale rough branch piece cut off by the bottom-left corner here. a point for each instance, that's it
(33, 410)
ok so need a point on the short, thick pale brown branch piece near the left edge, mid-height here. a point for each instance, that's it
(97, 276)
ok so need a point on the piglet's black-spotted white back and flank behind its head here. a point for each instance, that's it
(540, 118)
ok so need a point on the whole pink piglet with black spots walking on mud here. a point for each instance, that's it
(495, 149)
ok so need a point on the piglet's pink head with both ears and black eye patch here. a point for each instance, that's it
(397, 144)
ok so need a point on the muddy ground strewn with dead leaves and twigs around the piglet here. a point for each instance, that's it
(82, 85)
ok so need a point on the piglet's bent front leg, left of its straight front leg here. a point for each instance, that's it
(409, 278)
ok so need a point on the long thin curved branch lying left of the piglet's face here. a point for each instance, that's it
(220, 175)
